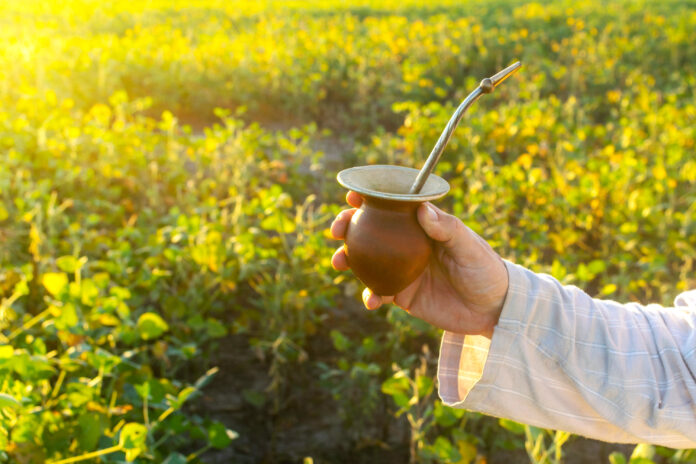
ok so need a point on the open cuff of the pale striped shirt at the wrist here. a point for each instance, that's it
(462, 363)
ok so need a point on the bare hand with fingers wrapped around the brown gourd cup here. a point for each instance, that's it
(464, 286)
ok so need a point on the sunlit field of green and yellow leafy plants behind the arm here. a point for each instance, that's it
(167, 178)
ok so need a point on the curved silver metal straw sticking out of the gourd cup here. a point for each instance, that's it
(486, 86)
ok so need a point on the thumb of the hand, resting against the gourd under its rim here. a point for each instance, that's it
(451, 233)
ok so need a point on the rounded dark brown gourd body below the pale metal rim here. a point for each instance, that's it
(385, 245)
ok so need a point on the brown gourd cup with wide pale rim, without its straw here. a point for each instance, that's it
(386, 247)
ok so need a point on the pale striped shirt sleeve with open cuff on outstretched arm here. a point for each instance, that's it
(559, 359)
